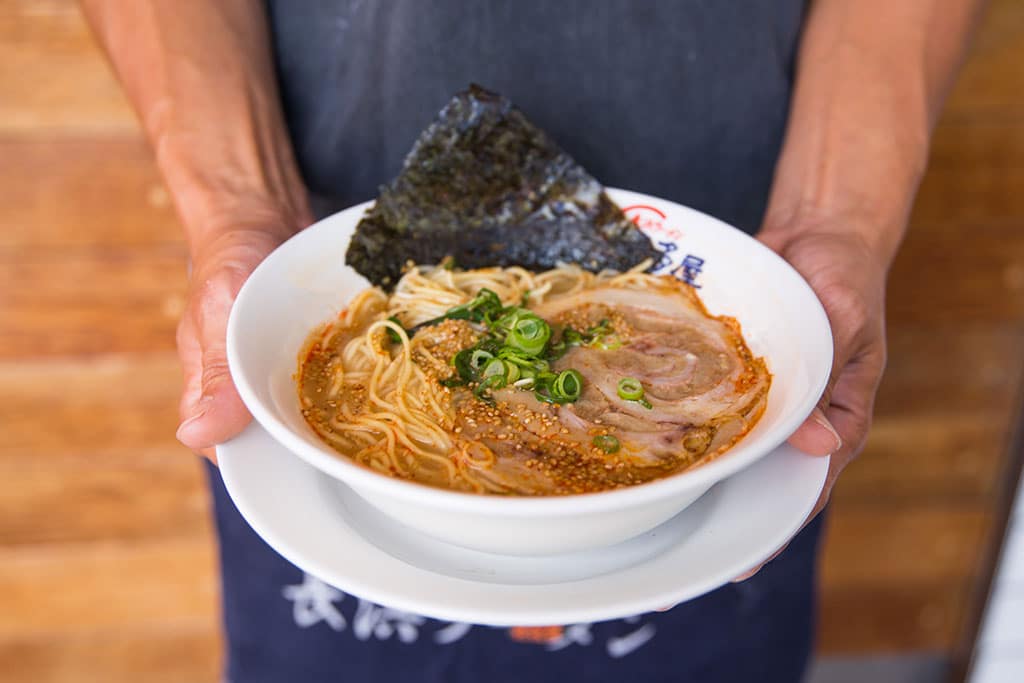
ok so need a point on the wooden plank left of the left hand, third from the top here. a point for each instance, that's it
(109, 301)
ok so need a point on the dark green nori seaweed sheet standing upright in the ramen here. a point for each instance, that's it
(485, 186)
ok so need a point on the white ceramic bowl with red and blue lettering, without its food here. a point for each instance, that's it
(306, 283)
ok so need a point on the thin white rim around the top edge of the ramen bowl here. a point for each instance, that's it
(365, 481)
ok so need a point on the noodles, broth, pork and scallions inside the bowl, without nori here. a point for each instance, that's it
(509, 382)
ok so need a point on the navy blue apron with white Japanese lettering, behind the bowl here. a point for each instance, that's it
(687, 100)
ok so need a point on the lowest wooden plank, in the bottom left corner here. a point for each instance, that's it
(154, 656)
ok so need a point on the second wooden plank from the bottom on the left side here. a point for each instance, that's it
(53, 591)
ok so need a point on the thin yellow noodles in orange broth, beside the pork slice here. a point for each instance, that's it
(375, 395)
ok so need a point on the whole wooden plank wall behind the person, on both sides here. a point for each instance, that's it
(107, 556)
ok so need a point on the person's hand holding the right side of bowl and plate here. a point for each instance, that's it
(849, 279)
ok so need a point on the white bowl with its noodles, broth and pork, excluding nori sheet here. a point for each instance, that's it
(533, 412)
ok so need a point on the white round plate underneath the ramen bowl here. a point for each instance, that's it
(317, 523)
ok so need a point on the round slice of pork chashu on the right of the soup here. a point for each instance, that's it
(705, 388)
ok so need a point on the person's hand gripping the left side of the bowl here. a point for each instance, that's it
(211, 410)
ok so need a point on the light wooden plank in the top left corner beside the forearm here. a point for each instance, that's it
(56, 80)
